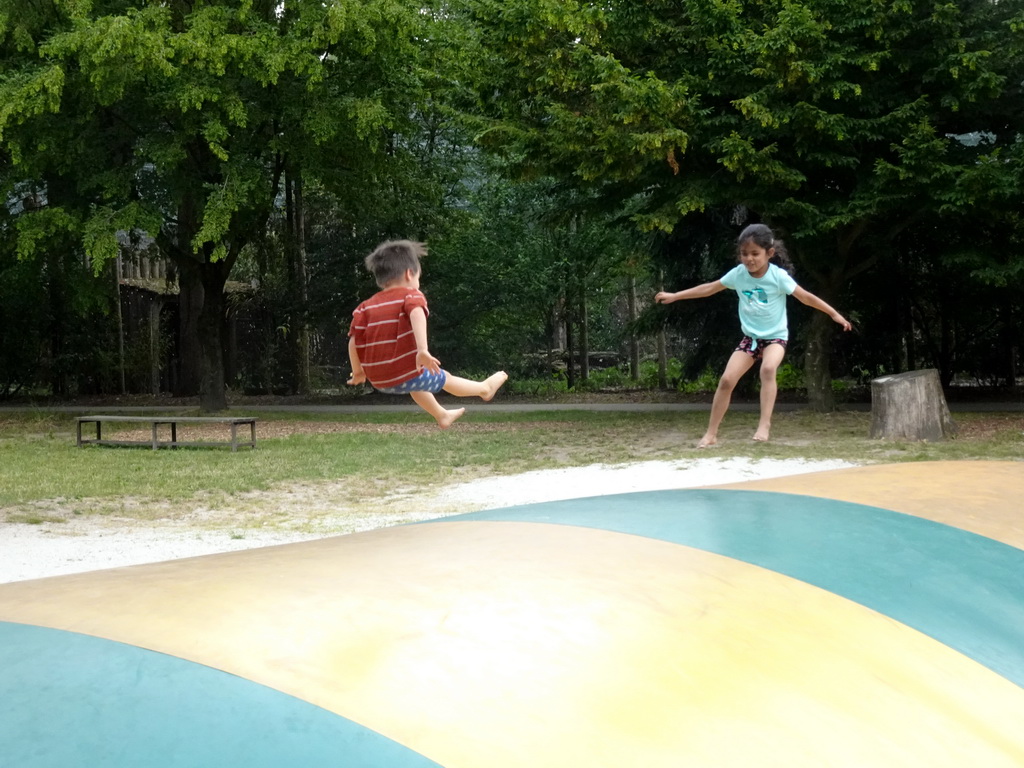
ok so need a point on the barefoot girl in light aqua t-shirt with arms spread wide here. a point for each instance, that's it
(761, 287)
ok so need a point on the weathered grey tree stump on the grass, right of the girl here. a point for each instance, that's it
(911, 407)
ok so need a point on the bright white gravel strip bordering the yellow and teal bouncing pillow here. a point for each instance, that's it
(79, 545)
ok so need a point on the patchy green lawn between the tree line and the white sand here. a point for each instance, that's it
(39, 462)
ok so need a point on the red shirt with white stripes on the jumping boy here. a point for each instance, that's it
(385, 338)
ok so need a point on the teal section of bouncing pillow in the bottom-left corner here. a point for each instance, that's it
(70, 700)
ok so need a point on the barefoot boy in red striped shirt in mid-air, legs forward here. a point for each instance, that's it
(388, 342)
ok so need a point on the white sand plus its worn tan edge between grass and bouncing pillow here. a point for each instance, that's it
(72, 545)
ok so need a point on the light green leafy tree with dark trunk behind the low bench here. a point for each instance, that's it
(180, 119)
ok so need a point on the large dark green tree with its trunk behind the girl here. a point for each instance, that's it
(838, 123)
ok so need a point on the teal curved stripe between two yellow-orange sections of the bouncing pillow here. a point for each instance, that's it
(960, 588)
